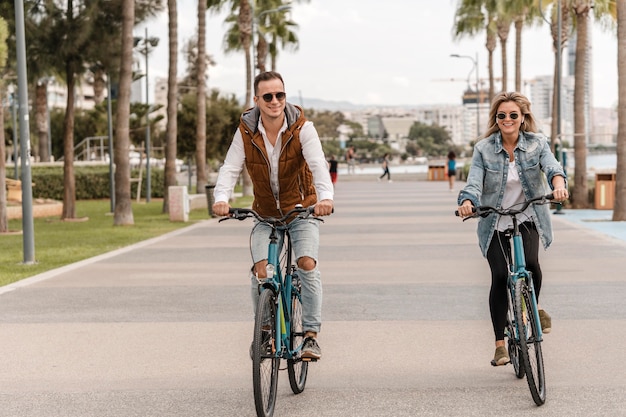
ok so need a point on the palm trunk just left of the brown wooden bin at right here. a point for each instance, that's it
(580, 195)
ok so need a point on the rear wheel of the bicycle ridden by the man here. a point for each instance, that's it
(296, 368)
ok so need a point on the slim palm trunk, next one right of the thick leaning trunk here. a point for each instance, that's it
(172, 104)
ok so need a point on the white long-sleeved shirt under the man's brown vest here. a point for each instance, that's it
(311, 150)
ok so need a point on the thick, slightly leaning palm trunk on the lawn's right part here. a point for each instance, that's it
(123, 214)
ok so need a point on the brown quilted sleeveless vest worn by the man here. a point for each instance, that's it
(295, 179)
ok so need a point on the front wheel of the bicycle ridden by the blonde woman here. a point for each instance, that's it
(530, 345)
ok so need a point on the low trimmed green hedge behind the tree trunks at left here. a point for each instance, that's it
(92, 182)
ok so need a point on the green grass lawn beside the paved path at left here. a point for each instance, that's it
(59, 243)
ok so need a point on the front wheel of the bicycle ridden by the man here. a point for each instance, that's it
(265, 362)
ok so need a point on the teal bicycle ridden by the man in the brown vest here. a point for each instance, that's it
(278, 332)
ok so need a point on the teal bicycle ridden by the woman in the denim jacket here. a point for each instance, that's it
(523, 329)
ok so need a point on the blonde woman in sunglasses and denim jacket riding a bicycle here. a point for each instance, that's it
(509, 166)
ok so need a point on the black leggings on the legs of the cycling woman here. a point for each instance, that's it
(498, 299)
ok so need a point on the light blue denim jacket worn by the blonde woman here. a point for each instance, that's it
(488, 174)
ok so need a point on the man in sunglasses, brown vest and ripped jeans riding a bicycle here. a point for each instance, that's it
(283, 155)
